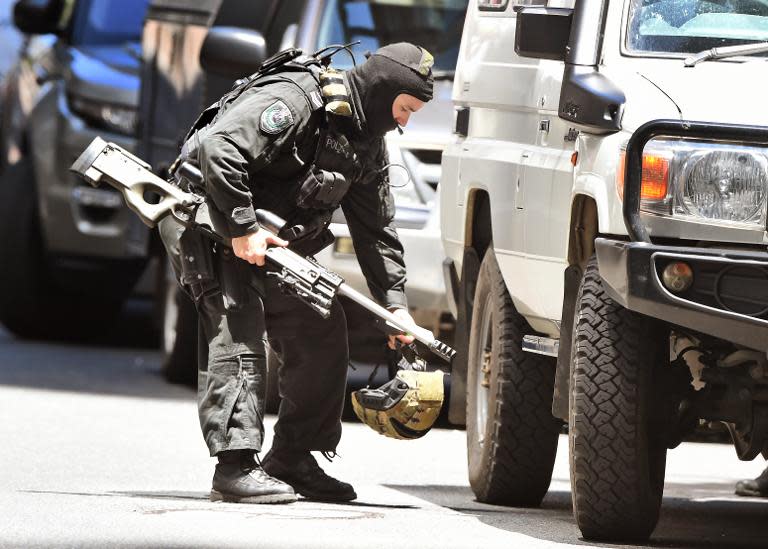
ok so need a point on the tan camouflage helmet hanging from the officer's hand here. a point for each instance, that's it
(405, 407)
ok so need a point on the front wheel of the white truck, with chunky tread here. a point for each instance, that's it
(617, 457)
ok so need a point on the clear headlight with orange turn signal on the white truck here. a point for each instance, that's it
(721, 183)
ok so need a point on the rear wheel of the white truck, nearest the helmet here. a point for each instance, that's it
(511, 433)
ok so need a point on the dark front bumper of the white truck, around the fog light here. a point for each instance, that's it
(728, 298)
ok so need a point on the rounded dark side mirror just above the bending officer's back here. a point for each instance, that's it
(232, 52)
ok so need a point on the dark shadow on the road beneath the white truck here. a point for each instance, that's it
(704, 522)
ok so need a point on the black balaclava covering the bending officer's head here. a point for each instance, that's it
(392, 70)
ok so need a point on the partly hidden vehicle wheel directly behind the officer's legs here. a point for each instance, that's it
(178, 332)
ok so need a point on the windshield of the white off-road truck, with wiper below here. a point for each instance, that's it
(690, 26)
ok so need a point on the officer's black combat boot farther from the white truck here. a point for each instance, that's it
(239, 479)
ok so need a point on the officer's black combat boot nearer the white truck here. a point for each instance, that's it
(301, 471)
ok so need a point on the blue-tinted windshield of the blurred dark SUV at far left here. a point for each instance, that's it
(108, 21)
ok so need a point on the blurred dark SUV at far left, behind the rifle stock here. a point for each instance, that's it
(70, 254)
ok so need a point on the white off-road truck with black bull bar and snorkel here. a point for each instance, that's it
(603, 212)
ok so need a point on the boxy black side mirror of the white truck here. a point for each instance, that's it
(542, 33)
